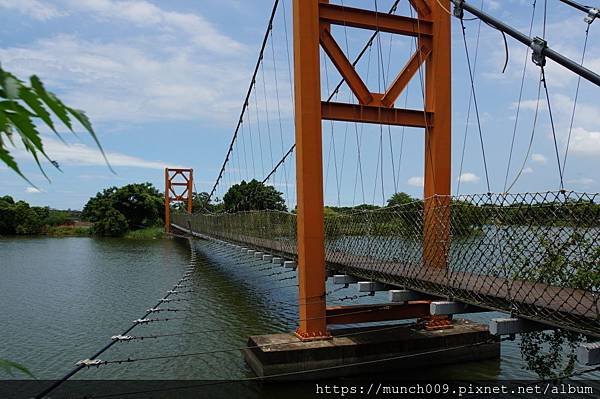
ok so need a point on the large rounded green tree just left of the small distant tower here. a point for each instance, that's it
(138, 205)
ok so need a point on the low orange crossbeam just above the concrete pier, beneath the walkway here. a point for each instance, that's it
(374, 313)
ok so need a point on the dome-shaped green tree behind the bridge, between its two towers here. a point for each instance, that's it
(253, 195)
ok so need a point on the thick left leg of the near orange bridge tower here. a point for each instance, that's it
(309, 171)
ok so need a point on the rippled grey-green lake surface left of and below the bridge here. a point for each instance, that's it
(63, 298)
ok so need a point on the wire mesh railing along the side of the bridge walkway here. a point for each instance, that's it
(534, 255)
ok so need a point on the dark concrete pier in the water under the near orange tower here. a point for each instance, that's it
(368, 350)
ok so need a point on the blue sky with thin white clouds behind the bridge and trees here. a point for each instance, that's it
(164, 83)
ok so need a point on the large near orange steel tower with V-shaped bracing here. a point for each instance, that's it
(312, 21)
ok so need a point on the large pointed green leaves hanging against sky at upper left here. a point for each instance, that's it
(22, 108)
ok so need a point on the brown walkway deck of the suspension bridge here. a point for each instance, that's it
(578, 309)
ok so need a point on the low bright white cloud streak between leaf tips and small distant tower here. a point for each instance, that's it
(81, 154)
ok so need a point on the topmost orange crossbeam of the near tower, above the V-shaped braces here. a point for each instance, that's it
(367, 19)
